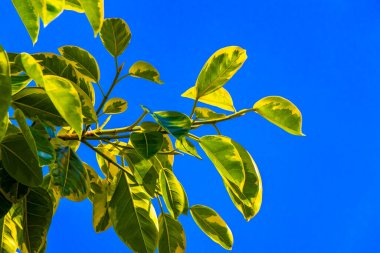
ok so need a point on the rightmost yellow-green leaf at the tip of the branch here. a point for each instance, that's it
(280, 112)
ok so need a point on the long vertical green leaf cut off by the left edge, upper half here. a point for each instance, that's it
(5, 91)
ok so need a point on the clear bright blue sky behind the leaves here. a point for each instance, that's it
(321, 192)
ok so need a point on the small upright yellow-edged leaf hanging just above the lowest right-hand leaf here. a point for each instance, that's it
(173, 193)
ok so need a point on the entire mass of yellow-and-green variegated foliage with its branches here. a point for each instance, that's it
(52, 100)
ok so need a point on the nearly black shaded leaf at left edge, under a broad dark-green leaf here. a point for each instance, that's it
(12, 190)
